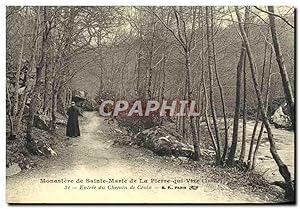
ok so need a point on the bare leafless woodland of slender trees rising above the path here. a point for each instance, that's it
(234, 61)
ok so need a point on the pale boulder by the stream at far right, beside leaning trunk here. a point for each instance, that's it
(280, 119)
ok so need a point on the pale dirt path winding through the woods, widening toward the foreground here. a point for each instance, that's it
(92, 156)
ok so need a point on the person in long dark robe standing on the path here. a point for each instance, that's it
(73, 124)
